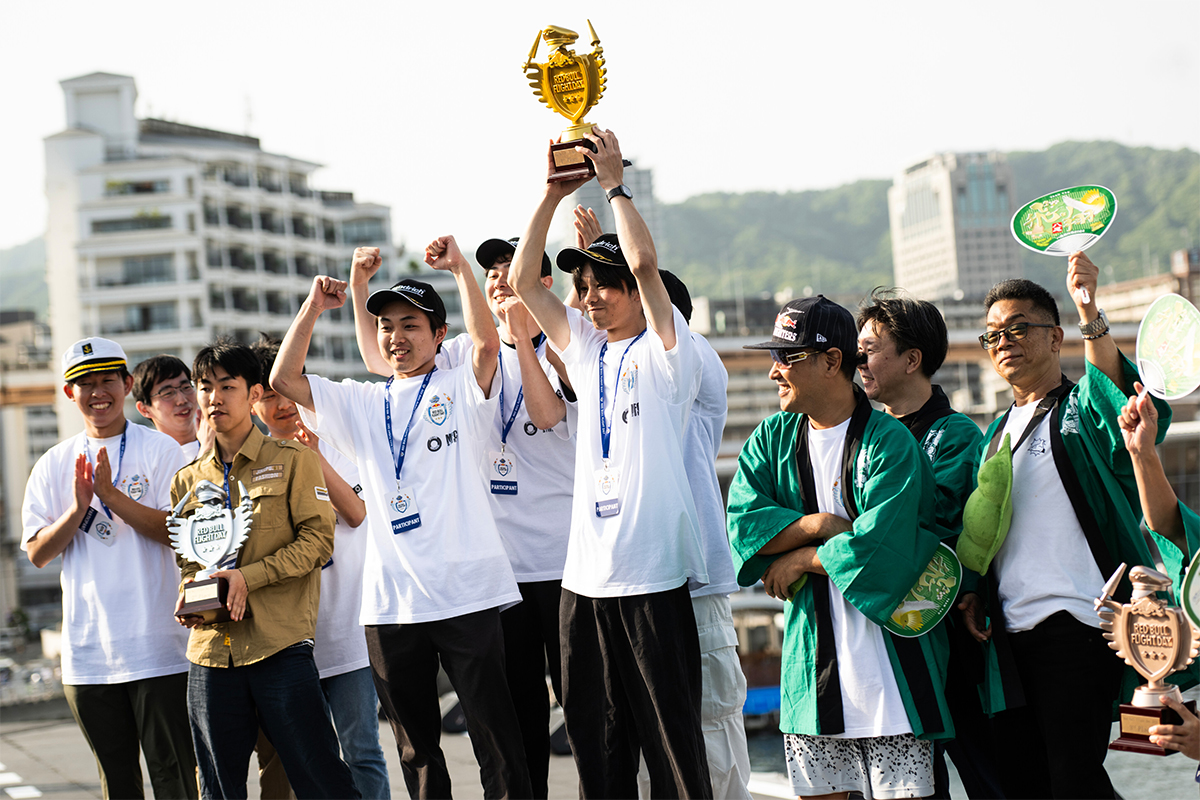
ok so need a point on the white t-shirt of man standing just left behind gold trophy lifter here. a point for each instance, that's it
(536, 521)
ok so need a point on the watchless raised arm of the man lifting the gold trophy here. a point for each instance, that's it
(525, 274)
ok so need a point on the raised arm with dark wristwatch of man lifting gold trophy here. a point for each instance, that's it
(635, 239)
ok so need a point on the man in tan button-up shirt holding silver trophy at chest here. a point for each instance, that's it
(257, 669)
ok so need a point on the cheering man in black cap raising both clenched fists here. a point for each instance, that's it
(437, 575)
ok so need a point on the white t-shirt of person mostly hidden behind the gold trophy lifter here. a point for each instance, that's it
(701, 446)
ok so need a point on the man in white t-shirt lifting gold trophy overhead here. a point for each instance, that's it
(635, 546)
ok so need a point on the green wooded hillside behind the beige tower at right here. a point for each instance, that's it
(838, 242)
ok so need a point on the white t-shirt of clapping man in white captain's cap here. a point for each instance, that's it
(119, 592)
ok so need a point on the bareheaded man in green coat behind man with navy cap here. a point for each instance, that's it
(902, 344)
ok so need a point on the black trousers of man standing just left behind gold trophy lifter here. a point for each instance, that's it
(531, 645)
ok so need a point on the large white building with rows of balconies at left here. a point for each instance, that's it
(164, 236)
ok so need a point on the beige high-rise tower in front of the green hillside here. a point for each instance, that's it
(950, 226)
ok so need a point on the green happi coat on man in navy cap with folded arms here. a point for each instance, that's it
(874, 567)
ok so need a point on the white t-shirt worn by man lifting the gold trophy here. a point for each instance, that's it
(653, 544)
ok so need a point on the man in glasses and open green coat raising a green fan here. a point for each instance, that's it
(1075, 519)
